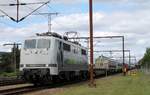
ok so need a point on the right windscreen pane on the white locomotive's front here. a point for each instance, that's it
(43, 43)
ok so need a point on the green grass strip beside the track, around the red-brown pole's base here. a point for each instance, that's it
(113, 85)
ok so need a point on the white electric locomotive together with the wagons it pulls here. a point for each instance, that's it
(50, 57)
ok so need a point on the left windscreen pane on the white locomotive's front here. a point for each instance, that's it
(30, 44)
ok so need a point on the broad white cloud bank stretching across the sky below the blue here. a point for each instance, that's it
(134, 25)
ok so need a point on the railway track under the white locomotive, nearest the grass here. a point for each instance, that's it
(32, 88)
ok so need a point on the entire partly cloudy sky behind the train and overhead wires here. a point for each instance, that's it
(120, 17)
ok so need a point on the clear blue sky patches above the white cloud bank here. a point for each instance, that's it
(67, 8)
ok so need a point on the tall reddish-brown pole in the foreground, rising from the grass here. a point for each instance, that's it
(91, 44)
